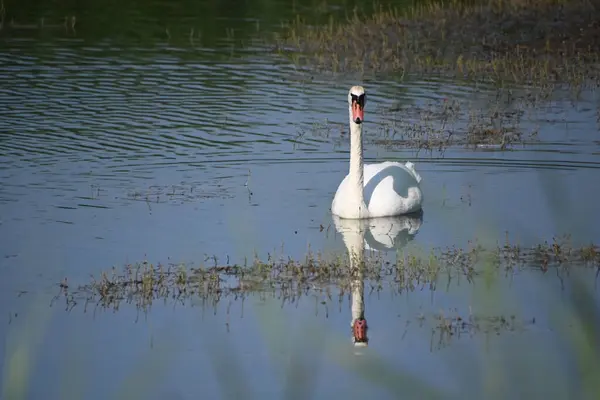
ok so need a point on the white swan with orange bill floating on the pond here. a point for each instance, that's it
(374, 190)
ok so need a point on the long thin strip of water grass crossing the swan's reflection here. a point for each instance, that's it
(289, 280)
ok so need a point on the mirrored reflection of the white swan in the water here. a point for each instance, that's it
(380, 234)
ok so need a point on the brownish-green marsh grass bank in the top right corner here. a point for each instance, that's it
(525, 41)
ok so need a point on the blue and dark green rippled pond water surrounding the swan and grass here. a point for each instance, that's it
(162, 131)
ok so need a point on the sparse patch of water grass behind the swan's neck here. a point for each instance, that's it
(501, 123)
